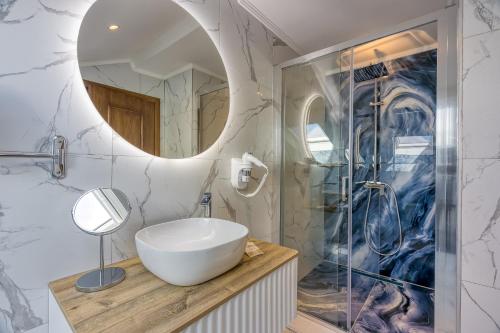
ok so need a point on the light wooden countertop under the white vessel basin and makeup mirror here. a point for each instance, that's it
(144, 303)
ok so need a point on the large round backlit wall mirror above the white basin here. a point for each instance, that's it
(154, 75)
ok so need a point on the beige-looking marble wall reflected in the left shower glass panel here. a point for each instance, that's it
(303, 215)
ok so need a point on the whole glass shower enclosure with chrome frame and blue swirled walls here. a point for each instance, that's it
(368, 179)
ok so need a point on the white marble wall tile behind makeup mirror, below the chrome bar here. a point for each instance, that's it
(38, 240)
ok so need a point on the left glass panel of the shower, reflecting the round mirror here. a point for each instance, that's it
(315, 183)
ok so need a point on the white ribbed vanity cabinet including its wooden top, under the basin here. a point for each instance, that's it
(257, 296)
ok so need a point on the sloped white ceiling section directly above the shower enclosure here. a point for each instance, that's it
(311, 25)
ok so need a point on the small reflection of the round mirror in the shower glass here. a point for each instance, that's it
(318, 144)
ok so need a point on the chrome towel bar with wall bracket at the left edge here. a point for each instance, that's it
(58, 156)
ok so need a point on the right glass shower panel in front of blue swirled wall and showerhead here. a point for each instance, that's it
(393, 203)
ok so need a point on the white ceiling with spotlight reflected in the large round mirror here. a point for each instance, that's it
(157, 37)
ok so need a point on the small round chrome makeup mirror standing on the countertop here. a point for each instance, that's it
(99, 212)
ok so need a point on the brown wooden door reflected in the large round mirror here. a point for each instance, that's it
(135, 117)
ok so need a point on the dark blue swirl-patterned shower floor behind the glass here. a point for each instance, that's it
(377, 305)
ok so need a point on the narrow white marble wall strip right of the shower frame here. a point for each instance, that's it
(481, 166)
